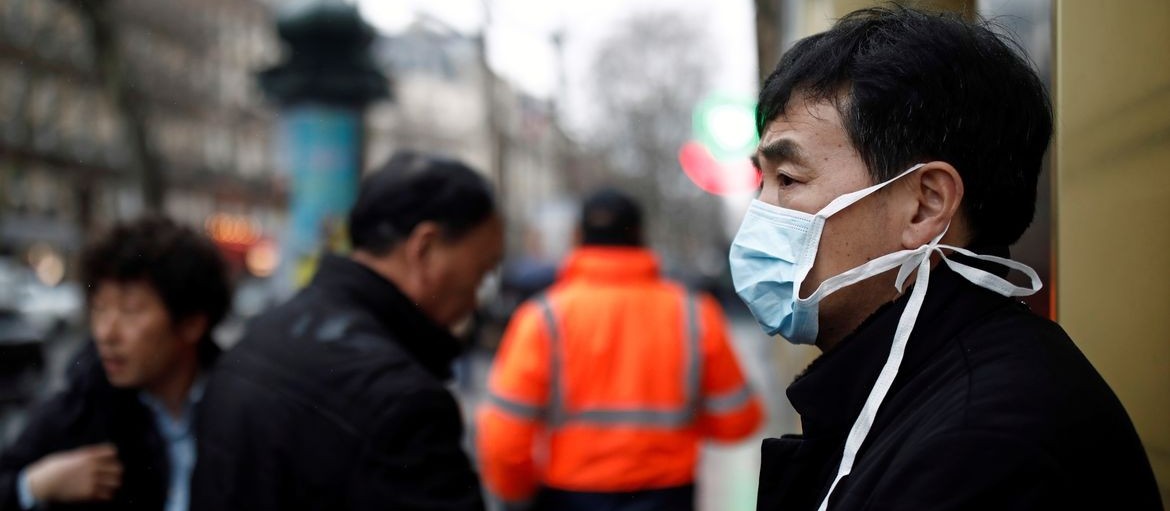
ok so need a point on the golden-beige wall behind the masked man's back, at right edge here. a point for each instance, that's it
(1113, 202)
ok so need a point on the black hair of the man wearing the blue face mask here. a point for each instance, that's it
(914, 87)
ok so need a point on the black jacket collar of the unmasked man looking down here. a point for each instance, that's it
(431, 346)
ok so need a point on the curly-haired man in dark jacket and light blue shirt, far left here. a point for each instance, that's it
(120, 437)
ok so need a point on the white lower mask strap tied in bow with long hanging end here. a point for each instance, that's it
(910, 261)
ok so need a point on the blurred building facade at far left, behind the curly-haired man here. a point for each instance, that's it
(66, 149)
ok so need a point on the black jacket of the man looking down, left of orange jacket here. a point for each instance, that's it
(336, 402)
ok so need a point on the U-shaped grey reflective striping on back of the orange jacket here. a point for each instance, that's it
(692, 379)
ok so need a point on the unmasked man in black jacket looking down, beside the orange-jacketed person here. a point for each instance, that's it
(335, 400)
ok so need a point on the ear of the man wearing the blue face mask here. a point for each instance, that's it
(938, 192)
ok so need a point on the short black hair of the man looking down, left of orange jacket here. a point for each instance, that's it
(412, 189)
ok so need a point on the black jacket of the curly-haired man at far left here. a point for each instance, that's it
(91, 411)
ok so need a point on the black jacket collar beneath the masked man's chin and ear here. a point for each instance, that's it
(830, 395)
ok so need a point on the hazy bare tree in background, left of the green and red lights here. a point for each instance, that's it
(648, 79)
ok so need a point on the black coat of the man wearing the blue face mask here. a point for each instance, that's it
(994, 409)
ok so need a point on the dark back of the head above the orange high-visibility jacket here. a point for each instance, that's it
(611, 218)
